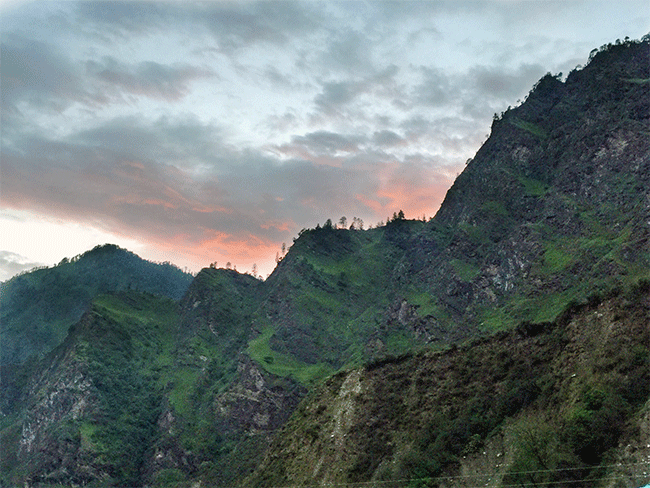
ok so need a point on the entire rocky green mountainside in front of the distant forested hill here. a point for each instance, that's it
(512, 329)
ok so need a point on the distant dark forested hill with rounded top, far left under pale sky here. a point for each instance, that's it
(37, 308)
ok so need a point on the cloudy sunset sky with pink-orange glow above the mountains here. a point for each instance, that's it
(215, 131)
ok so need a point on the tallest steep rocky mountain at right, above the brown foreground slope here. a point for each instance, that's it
(553, 207)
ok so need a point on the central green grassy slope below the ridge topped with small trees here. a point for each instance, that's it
(327, 299)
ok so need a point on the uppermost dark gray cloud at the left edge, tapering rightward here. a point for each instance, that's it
(40, 76)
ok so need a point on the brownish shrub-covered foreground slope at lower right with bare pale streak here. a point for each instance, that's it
(559, 409)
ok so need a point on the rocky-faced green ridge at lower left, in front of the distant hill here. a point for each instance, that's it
(90, 412)
